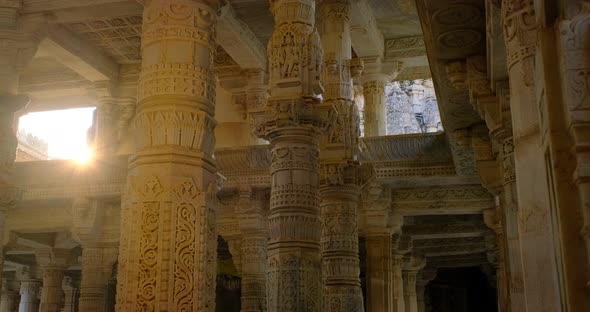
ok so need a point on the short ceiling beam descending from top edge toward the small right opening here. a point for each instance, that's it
(367, 39)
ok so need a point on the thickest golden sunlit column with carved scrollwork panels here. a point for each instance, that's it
(167, 250)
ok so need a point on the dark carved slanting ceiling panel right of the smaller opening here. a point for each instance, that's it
(453, 30)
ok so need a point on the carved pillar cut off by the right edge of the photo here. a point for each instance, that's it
(575, 71)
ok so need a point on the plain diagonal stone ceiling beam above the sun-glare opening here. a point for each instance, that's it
(73, 52)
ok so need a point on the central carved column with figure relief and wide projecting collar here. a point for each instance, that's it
(292, 123)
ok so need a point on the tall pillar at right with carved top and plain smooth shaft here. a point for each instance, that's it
(540, 281)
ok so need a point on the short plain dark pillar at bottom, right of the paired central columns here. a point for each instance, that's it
(378, 276)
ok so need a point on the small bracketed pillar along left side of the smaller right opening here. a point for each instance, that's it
(375, 78)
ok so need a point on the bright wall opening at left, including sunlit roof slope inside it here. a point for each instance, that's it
(59, 134)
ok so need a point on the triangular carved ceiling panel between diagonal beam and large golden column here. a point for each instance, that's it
(120, 37)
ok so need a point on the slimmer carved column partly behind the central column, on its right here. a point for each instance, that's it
(339, 190)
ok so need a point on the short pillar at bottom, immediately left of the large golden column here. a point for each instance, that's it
(97, 265)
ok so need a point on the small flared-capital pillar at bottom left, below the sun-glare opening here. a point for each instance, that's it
(53, 263)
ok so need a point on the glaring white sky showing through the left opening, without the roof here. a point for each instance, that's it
(65, 131)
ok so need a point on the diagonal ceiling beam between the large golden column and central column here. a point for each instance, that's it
(239, 41)
